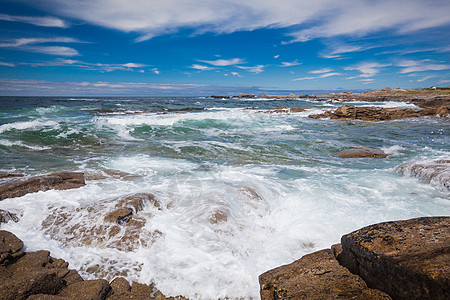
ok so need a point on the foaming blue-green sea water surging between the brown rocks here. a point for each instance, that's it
(240, 191)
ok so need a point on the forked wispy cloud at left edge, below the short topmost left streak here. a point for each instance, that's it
(35, 45)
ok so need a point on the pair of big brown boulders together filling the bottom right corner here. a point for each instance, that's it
(403, 259)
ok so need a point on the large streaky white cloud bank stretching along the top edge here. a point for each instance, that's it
(319, 18)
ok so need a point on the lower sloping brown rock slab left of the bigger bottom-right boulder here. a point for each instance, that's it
(315, 276)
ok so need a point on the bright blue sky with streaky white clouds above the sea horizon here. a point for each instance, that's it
(204, 47)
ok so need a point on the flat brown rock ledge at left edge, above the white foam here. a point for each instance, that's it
(17, 187)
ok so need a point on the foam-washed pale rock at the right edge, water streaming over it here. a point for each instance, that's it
(435, 172)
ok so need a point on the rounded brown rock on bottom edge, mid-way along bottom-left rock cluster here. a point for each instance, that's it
(87, 290)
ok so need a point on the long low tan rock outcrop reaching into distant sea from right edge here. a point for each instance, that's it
(351, 112)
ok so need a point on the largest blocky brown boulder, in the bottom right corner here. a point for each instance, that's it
(407, 259)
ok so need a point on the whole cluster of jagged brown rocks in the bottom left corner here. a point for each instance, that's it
(38, 276)
